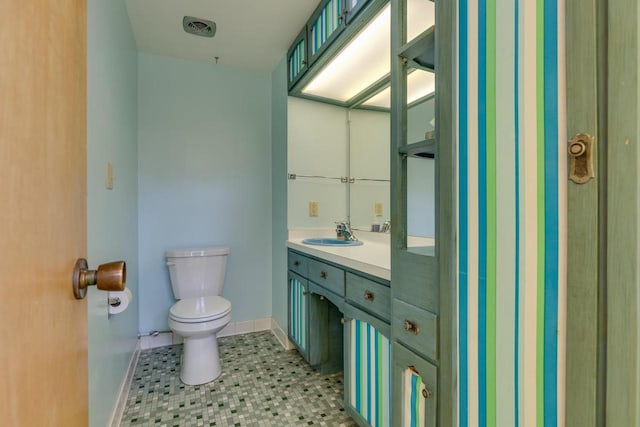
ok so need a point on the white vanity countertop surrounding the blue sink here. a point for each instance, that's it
(373, 257)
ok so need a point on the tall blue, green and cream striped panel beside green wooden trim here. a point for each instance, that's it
(511, 212)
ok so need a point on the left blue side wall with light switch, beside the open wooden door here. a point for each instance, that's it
(111, 214)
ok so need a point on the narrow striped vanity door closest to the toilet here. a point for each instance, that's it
(298, 304)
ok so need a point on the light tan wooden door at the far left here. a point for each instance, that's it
(43, 348)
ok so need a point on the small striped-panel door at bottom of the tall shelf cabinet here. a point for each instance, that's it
(414, 389)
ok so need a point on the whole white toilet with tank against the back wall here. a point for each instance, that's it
(197, 278)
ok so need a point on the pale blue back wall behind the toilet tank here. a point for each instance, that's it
(204, 165)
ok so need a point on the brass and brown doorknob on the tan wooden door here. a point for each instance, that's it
(108, 277)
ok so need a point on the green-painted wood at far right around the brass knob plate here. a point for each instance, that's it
(603, 294)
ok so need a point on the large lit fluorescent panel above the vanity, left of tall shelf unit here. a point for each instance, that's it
(362, 62)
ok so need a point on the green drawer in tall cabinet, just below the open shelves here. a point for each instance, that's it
(416, 328)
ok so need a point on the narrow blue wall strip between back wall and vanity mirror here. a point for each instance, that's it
(279, 190)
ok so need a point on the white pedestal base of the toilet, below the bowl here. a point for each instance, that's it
(200, 360)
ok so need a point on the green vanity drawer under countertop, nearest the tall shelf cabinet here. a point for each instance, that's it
(371, 296)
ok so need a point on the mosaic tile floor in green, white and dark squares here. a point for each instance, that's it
(261, 385)
